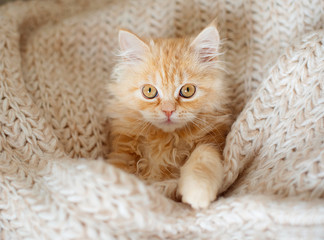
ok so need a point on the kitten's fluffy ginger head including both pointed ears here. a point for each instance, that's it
(168, 82)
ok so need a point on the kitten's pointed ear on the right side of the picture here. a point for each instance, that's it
(206, 44)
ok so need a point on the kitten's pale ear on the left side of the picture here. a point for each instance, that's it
(133, 49)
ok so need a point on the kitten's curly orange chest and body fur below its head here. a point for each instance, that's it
(158, 155)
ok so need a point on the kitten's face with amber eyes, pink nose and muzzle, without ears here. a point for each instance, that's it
(169, 102)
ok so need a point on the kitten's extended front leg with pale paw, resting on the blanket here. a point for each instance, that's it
(201, 176)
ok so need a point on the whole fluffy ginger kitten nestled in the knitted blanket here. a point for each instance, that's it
(168, 112)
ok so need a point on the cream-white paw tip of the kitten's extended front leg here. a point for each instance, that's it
(196, 193)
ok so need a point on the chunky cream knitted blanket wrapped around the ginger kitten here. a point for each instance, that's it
(55, 58)
